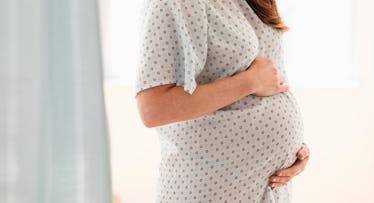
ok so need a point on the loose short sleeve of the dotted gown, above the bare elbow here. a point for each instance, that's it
(173, 44)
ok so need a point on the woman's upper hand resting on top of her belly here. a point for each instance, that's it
(264, 79)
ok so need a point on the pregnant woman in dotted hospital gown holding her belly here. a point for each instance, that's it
(211, 81)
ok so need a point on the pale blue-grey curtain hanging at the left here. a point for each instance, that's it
(53, 134)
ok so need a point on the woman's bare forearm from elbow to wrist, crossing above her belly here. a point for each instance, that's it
(177, 105)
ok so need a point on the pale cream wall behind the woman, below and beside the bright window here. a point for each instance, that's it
(339, 128)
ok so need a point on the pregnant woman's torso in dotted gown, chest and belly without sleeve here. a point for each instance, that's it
(229, 154)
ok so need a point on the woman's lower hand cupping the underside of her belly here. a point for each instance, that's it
(281, 177)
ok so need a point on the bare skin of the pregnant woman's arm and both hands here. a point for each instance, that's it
(169, 103)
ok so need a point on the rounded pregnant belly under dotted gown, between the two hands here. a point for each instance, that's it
(256, 135)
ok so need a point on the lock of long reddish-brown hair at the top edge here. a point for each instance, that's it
(267, 11)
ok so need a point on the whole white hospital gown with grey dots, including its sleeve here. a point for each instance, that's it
(227, 155)
